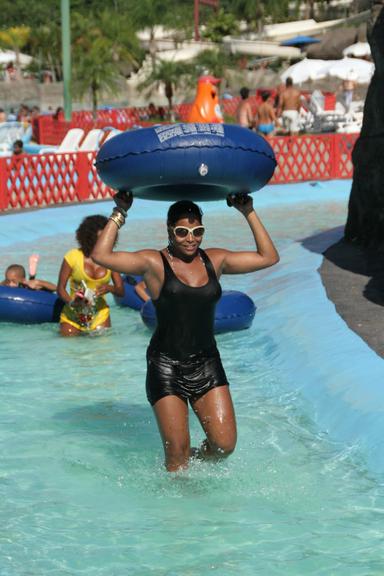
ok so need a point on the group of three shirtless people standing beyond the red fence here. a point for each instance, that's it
(280, 113)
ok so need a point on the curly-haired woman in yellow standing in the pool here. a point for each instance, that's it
(85, 307)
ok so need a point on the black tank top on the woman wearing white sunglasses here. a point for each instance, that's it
(185, 315)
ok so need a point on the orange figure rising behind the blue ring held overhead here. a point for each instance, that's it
(206, 107)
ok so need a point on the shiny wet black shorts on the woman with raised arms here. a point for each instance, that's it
(188, 379)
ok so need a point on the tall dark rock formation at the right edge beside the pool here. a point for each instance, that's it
(365, 223)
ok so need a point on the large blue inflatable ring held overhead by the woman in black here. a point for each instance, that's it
(194, 161)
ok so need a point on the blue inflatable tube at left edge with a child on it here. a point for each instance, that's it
(25, 306)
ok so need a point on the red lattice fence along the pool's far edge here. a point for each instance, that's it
(30, 181)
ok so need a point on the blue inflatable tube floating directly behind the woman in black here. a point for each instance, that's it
(234, 311)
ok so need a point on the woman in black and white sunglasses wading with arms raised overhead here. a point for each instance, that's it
(183, 363)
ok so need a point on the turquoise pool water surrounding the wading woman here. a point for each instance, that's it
(82, 485)
